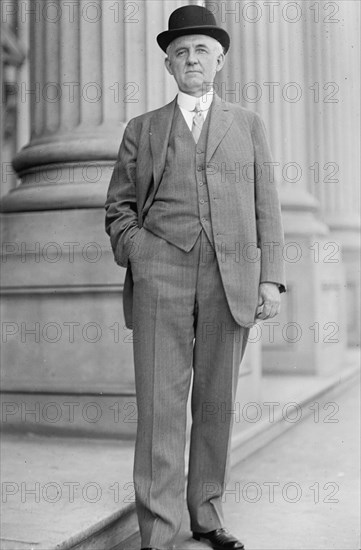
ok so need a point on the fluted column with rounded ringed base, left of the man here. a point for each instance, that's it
(74, 117)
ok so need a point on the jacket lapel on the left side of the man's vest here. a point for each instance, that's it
(160, 127)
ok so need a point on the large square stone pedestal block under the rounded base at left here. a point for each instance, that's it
(62, 319)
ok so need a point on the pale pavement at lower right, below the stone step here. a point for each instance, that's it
(302, 491)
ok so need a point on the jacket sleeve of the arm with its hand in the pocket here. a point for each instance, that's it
(121, 220)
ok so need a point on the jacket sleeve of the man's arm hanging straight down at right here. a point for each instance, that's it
(268, 211)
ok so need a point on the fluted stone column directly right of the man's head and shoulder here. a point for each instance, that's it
(265, 67)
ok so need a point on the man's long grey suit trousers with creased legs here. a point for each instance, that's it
(182, 327)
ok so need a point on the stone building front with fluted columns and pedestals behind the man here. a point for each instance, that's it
(74, 73)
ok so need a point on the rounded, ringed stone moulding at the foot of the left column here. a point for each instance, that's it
(65, 171)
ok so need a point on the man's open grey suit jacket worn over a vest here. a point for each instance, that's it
(245, 210)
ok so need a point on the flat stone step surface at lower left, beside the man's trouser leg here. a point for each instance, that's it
(54, 489)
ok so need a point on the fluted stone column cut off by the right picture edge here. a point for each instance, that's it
(338, 108)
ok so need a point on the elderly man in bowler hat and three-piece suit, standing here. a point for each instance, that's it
(195, 219)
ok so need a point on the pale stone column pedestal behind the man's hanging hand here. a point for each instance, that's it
(309, 336)
